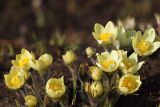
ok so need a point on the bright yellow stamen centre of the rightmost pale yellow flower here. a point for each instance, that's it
(143, 46)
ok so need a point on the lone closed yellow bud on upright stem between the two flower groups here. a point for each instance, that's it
(69, 57)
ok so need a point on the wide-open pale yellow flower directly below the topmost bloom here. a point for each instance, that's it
(108, 62)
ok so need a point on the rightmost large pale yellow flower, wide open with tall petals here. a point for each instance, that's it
(145, 45)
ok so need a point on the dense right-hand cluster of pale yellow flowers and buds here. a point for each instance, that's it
(113, 60)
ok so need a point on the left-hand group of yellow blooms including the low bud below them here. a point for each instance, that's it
(19, 74)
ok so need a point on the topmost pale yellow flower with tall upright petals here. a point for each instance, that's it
(105, 35)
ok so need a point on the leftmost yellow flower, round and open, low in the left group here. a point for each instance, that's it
(14, 80)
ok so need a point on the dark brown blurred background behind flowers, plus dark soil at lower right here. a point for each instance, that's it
(58, 25)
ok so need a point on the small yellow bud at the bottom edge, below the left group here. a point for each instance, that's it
(30, 101)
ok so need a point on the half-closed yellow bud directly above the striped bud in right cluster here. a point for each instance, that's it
(96, 73)
